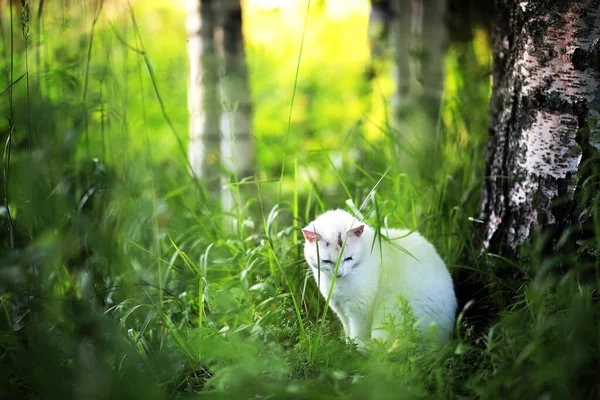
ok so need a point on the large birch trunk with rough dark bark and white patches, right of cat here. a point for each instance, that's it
(544, 117)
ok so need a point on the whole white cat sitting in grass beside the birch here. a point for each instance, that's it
(371, 278)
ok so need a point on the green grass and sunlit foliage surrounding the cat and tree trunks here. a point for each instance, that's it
(123, 281)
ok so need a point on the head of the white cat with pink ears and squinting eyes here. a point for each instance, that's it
(328, 233)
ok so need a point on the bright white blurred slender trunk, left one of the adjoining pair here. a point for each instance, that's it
(203, 99)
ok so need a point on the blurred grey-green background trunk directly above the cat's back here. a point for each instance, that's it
(418, 37)
